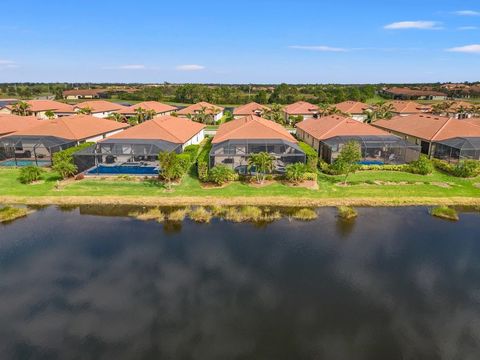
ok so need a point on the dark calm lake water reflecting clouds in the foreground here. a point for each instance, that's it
(395, 284)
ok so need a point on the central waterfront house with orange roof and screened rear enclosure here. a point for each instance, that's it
(236, 140)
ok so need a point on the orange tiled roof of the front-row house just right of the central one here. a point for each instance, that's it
(335, 125)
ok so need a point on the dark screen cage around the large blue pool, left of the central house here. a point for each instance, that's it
(123, 152)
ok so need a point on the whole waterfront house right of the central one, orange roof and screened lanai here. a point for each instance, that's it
(330, 133)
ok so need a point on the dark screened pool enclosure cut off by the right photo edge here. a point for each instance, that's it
(457, 149)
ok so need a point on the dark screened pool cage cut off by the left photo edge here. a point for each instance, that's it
(36, 149)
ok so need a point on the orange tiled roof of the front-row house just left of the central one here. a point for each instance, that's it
(166, 128)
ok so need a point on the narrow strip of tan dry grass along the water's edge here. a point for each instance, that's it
(238, 201)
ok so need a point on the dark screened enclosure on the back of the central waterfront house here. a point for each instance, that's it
(235, 153)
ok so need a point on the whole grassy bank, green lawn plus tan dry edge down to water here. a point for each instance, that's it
(380, 188)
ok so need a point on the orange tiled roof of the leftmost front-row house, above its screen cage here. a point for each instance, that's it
(74, 127)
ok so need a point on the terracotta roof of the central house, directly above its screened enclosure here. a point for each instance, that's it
(251, 127)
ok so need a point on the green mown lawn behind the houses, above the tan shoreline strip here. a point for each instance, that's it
(367, 184)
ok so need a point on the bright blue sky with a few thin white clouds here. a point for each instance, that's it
(262, 41)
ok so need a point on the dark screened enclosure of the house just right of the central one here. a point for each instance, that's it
(379, 150)
